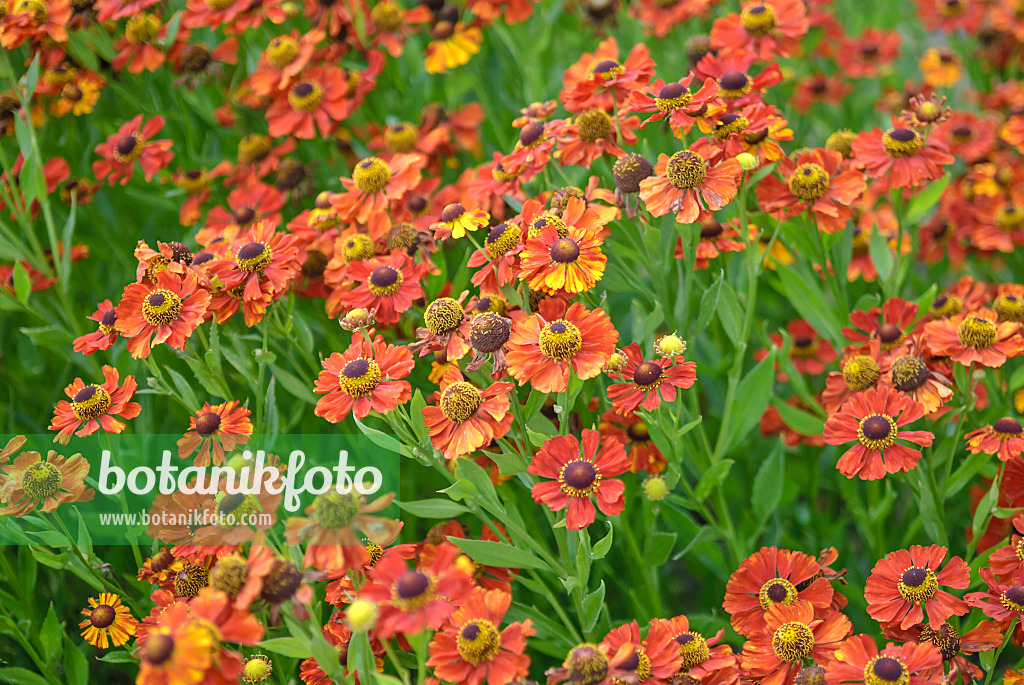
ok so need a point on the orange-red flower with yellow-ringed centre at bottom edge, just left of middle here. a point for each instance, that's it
(473, 649)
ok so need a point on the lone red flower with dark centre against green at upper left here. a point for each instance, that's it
(132, 144)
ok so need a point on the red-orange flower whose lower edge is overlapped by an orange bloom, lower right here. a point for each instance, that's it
(773, 577)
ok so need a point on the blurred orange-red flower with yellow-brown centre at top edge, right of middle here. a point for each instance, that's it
(764, 28)
